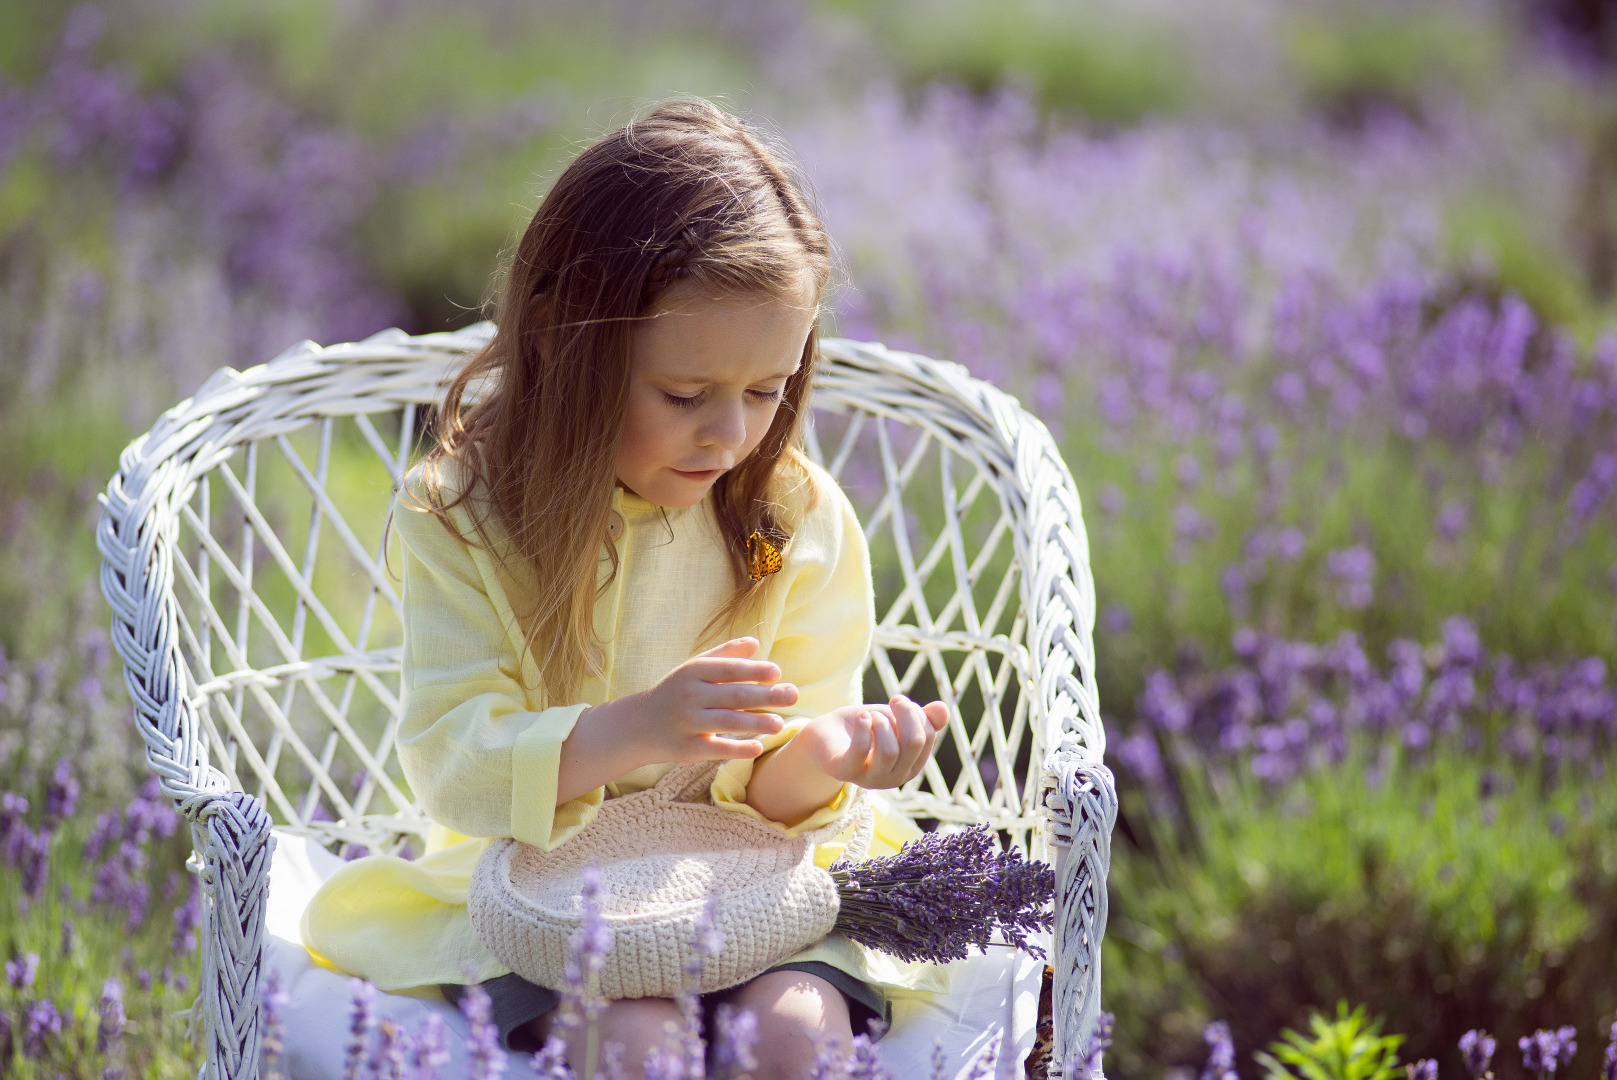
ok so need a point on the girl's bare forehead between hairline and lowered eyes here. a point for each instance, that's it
(722, 339)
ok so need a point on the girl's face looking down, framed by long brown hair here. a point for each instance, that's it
(706, 379)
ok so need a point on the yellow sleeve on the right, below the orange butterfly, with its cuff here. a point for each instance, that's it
(824, 618)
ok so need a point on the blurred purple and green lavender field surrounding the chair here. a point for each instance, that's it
(1317, 297)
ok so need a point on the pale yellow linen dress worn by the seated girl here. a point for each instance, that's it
(481, 745)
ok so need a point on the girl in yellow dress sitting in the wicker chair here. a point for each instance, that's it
(581, 544)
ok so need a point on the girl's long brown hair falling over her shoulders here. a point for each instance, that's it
(686, 198)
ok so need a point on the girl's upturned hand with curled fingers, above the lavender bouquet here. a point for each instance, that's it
(874, 746)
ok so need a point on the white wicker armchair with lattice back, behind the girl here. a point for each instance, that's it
(268, 667)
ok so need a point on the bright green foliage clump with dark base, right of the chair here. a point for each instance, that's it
(1450, 893)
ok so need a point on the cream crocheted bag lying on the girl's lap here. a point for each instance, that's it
(661, 854)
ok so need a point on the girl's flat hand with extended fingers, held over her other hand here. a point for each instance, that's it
(695, 714)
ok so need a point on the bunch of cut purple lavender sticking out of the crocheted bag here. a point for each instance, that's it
(944, 895)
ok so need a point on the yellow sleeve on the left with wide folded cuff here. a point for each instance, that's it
(478, 745)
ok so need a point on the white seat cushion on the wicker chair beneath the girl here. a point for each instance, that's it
(990, 995)
